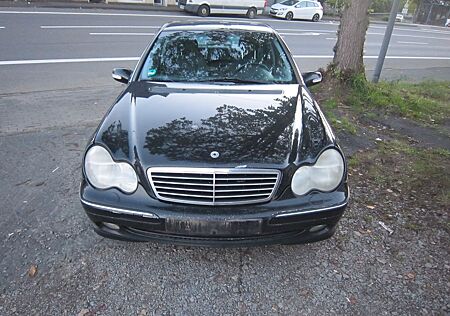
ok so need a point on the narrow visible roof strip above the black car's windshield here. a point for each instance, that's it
(215, 25)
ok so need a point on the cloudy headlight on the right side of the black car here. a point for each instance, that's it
(324, 175)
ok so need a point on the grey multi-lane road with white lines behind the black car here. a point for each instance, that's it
(41, 47)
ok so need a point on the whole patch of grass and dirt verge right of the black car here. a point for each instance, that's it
(397, 138)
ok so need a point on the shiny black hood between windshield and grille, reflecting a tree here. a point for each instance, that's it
(181, 124)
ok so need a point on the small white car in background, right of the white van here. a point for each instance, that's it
(298, 9)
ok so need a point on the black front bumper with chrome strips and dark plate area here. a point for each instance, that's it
(140, 217)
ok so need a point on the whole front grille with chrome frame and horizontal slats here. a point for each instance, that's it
(204, 186)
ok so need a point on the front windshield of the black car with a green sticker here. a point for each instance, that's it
(222, 55)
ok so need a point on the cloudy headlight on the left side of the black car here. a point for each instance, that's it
(104, 173)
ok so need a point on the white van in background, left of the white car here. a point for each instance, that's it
(251, 8)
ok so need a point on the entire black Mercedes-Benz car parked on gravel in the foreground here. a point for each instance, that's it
(215, 140)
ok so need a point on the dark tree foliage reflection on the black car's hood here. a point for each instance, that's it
(239, 135)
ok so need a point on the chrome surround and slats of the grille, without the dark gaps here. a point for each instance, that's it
(214, 172)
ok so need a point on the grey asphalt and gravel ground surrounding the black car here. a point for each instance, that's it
(48, 110)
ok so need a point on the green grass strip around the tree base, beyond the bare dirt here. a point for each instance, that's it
(426, 102)
